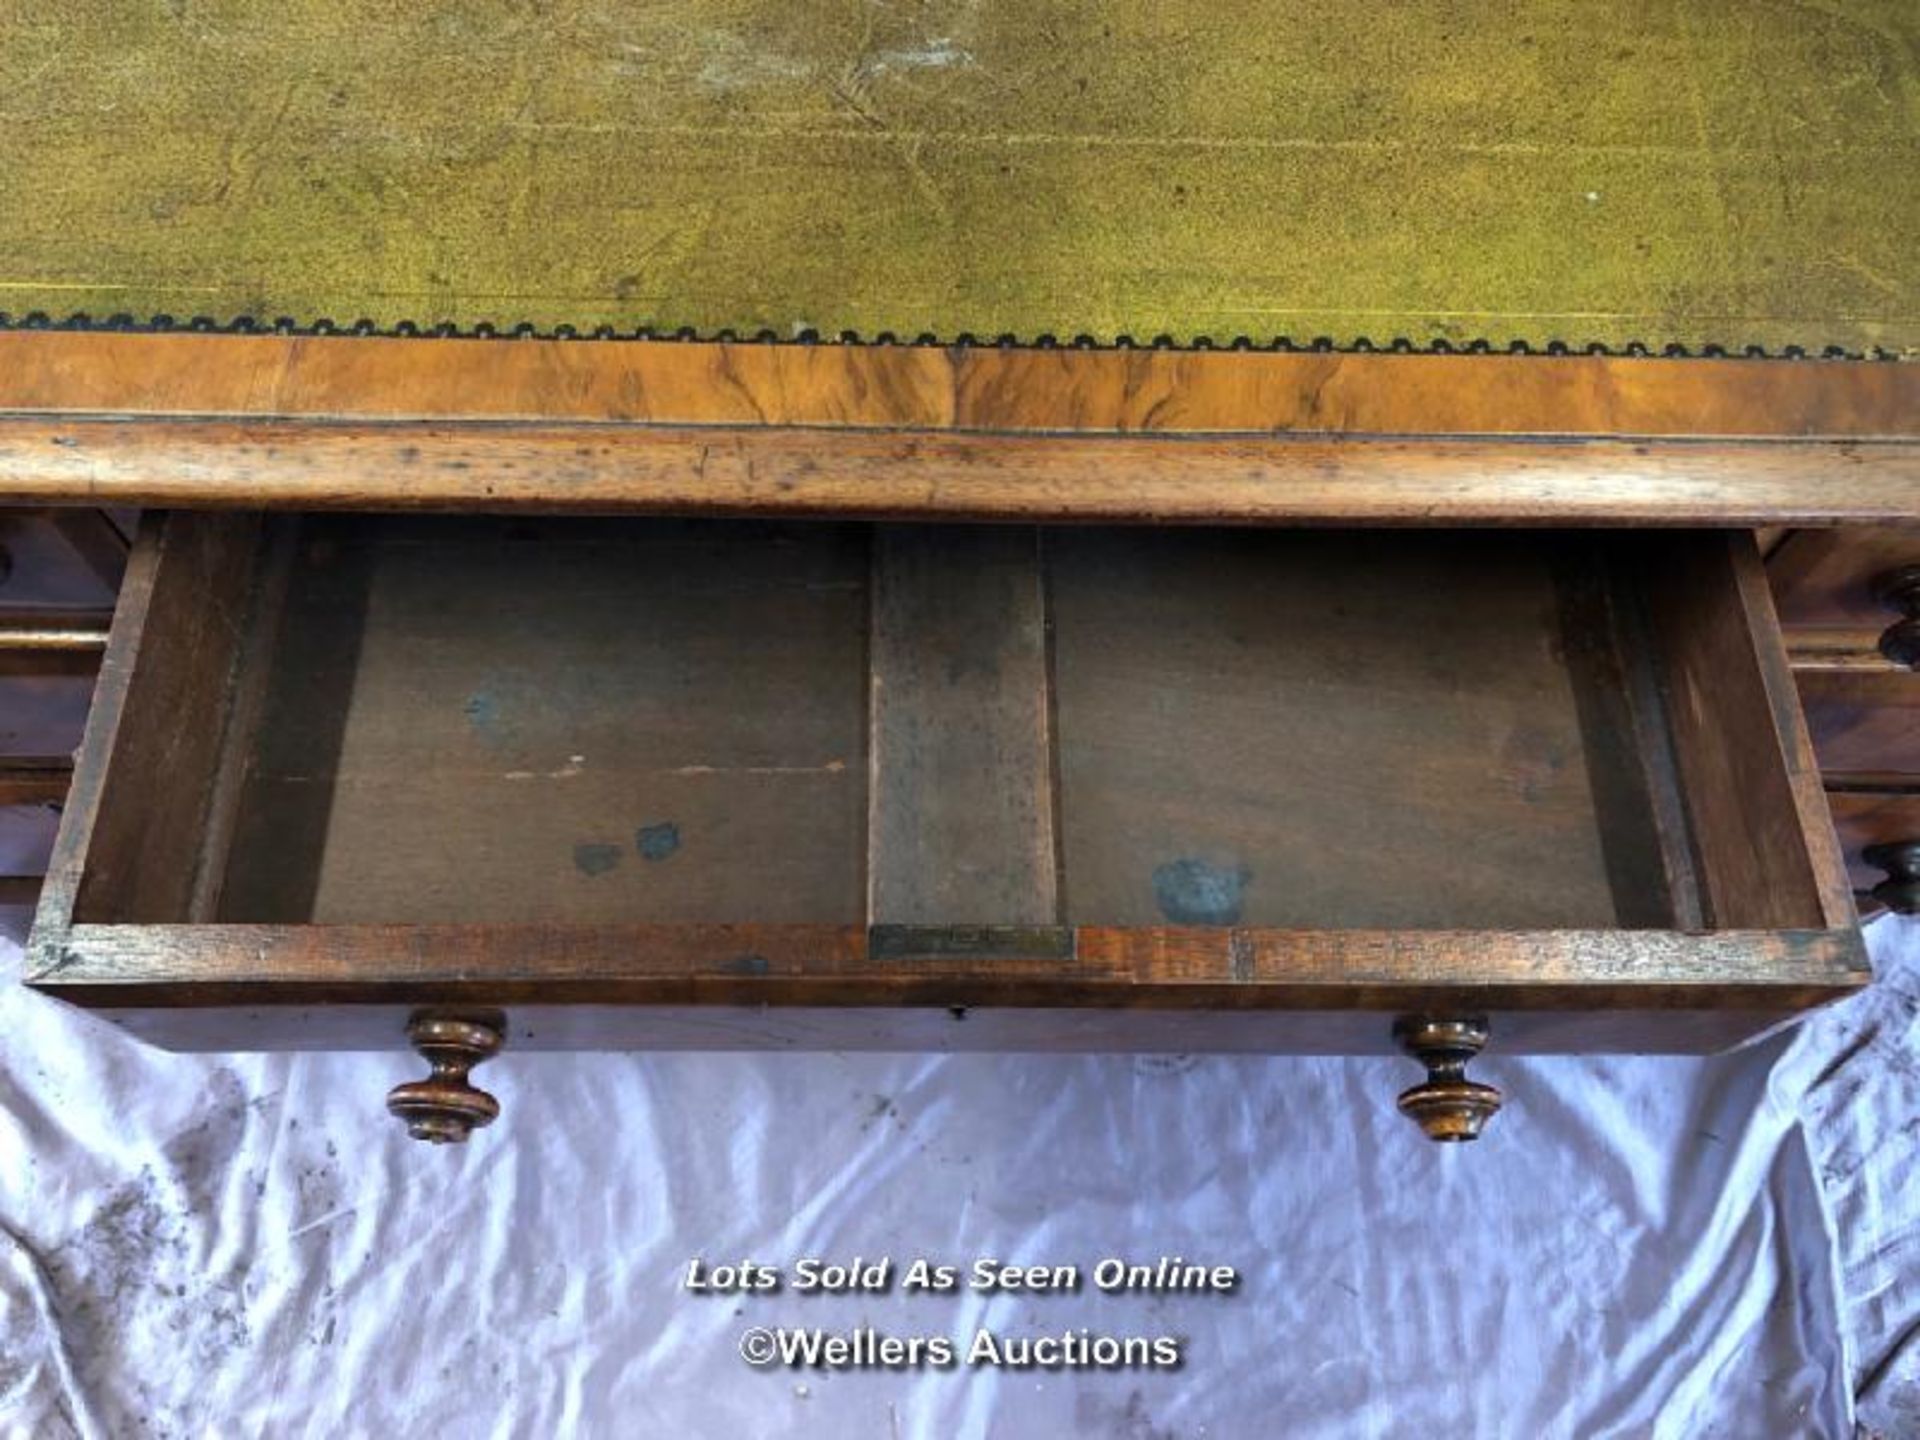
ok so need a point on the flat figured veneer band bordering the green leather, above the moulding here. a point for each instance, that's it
(938, 389)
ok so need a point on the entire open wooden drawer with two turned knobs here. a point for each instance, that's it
(708, 784)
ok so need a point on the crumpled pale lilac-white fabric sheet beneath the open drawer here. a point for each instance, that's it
(247, 1245)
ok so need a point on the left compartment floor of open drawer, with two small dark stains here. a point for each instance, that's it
(556, 721)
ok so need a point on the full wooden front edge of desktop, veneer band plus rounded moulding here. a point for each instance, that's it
(729, 429)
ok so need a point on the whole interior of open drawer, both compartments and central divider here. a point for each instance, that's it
(621, 721)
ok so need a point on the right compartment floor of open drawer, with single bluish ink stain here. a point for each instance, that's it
(1284, 729)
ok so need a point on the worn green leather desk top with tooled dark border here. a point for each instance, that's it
(1583, 172)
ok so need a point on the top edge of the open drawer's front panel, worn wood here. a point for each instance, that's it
(794, 965)
